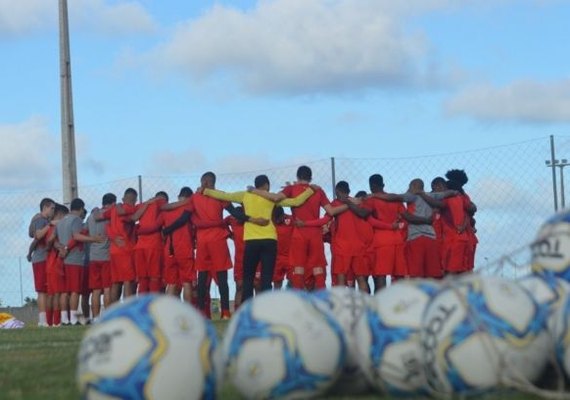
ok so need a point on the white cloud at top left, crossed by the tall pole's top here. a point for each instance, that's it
(24, 17)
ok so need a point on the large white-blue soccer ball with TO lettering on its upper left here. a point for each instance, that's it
(481, 333)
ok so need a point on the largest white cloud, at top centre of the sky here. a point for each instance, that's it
(305, 46)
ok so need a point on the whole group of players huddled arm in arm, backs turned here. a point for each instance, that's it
(180, 247)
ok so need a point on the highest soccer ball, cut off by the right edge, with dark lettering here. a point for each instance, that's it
(551, 248)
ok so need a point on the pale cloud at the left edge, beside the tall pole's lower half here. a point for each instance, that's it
(28, 155)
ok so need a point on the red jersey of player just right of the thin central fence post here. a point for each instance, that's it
(345, 237)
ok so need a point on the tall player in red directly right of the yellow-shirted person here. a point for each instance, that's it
(307, 248)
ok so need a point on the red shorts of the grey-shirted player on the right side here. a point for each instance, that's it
(424, 260)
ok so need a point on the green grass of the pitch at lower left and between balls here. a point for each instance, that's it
(39, 363)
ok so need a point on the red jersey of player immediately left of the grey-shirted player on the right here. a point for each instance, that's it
(384, 215)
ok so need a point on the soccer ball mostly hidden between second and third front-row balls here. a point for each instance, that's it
(347, 306)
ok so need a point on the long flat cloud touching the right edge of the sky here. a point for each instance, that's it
(521, 101)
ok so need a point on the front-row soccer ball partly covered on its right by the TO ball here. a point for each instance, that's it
(388, 337)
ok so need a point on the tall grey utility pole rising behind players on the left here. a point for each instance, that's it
(68, 162)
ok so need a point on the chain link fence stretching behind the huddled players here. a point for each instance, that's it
(511, 185)
